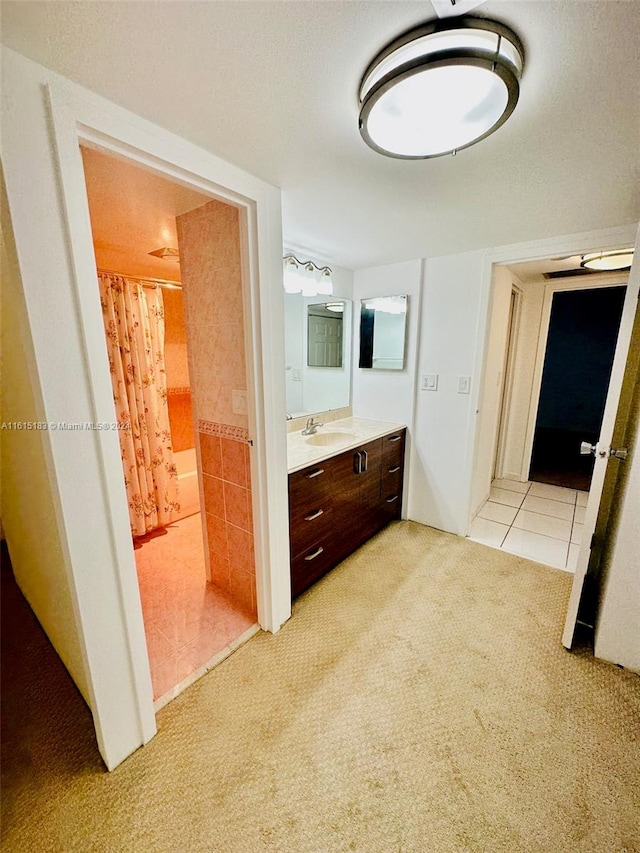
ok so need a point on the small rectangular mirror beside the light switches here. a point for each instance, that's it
(383, 321)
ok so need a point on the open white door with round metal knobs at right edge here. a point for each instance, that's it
(603, 447)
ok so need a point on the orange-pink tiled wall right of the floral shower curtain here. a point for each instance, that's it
(209, 242)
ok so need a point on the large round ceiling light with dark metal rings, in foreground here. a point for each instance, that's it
(440, 87)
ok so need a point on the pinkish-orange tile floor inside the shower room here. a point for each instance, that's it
(187, 621)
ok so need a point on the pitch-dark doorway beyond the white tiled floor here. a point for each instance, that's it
(583, 330)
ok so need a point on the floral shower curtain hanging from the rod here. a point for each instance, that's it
(134, 326)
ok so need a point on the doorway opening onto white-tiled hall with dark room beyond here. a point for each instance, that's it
(552, 340)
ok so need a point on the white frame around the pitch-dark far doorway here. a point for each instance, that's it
(594, 282)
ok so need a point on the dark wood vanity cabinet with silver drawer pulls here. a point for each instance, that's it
(339, 503)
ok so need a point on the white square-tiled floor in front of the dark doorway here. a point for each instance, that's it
(534, 520)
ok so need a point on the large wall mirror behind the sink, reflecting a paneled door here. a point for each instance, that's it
(317, 354)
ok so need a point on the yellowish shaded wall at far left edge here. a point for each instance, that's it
(34, 539)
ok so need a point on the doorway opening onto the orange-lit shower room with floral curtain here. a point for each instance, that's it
(185, 462)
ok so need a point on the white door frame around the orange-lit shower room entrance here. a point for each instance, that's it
(78, 116)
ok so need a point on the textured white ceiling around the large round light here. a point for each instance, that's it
(272, 87)
